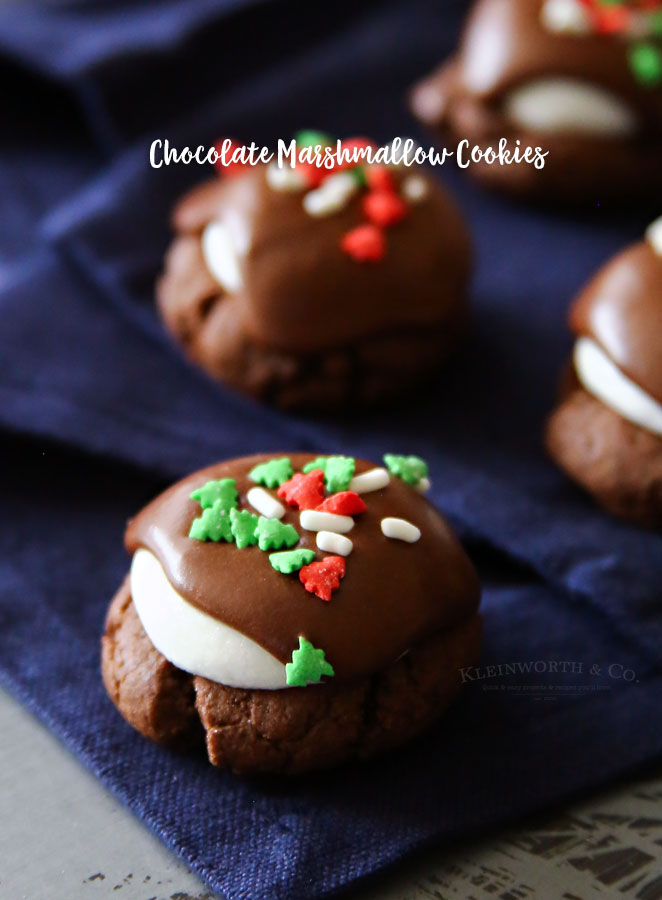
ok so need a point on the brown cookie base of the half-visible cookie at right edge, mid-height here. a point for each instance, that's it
(617, 462)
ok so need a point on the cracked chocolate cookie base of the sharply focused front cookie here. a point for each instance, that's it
(290, 731)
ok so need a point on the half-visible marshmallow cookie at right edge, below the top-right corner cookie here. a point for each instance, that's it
(607, 430)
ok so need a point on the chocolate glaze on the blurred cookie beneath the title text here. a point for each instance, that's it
(294, 264)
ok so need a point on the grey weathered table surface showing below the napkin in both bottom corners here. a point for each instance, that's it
(64, 837)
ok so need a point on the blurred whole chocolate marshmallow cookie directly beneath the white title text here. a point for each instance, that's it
(318, 288)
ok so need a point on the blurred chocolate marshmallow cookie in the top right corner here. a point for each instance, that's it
(582, 79)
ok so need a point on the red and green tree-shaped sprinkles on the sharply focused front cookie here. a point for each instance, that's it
(324, 486)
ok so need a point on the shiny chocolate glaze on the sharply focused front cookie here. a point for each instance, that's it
(393, 595)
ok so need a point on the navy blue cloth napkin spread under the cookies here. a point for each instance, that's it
(84, 363)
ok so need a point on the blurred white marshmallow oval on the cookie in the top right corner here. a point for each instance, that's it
(568, 106)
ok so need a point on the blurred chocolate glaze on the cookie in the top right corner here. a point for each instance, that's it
(505, 45)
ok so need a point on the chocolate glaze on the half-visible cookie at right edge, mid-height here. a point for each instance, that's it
(621, 309)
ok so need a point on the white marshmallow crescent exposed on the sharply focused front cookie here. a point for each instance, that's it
(194, 641)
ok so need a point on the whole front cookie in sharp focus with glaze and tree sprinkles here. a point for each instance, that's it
(297, 611)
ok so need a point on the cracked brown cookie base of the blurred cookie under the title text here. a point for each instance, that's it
(371, 371)
